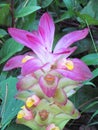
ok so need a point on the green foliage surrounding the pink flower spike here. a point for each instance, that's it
(68, 15)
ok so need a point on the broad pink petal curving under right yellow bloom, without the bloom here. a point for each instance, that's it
(80, 72)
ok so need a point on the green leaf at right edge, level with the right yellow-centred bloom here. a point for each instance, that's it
(91, 59)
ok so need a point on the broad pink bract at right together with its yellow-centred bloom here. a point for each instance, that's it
(74, 69)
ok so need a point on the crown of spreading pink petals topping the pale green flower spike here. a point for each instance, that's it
(41, 43)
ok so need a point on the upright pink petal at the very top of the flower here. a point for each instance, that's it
(46, 30)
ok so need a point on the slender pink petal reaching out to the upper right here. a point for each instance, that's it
(69, 39)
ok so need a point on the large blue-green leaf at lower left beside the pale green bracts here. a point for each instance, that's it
(10, 105)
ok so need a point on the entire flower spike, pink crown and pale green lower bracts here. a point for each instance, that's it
(48, 77)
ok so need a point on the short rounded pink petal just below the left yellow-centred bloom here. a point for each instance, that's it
(31, 66)
